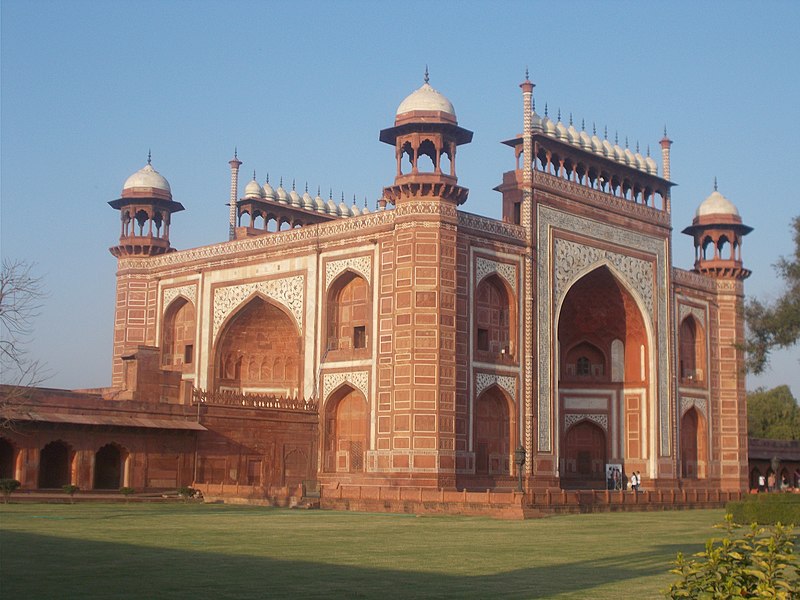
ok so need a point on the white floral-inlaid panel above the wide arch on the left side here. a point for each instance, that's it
(287, 292)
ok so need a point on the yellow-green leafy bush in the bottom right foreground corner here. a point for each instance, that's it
(760, 564)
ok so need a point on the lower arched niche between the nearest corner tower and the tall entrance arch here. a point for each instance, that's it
(491, 434)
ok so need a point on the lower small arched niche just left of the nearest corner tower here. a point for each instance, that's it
(346, 431)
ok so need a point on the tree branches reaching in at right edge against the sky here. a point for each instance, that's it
(775, 324)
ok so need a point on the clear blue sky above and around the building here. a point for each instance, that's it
(302, 89)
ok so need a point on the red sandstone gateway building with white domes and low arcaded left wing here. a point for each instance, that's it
(419, 346)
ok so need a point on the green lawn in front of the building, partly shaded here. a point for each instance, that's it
(216, 551)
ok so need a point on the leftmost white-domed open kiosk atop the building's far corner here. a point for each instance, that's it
(146, 208)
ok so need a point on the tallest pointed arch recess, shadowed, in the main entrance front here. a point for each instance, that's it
(604, 379)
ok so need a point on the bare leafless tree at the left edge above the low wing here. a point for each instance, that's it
(21, 294)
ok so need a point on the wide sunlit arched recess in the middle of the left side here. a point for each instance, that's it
(260, 351)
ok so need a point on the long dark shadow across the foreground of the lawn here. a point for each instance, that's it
(38, 566)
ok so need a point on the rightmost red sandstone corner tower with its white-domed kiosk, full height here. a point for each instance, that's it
(718, 230)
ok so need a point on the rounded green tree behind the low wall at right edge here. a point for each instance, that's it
(773, 414)
